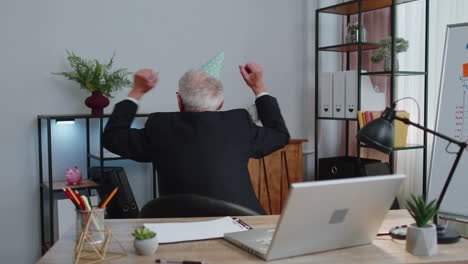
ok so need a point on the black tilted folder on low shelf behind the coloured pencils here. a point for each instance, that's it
(123, 205)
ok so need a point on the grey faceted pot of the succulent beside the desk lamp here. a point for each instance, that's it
(421, 241)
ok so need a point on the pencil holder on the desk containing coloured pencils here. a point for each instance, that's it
(94, 219)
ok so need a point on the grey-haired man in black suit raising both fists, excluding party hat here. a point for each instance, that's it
(200, 150)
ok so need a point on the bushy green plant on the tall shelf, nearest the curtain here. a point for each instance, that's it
(384, 52)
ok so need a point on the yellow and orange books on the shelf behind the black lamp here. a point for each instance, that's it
(401, 129)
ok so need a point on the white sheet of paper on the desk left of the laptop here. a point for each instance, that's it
(189, 231)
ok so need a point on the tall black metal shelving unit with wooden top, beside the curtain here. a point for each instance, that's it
(358, 7)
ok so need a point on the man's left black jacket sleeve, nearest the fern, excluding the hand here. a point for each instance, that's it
(127, 142)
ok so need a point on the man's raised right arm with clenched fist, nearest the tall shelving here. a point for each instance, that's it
(274, 134)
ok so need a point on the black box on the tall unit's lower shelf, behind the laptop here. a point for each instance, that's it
(342, 167)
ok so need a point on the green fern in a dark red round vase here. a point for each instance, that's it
(98, 78)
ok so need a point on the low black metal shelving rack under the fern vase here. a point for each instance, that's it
(51, 189)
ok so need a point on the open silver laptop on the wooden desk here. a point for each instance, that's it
(324, 215)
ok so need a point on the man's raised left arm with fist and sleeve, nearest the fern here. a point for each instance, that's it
(118, 137)
